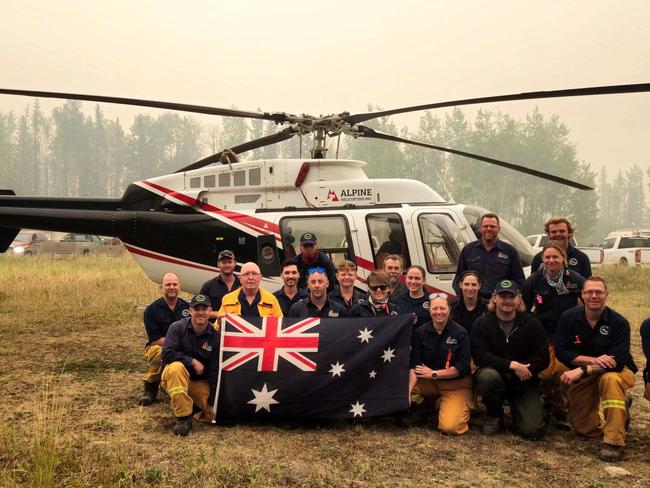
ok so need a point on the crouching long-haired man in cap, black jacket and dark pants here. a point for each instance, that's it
(509, 347)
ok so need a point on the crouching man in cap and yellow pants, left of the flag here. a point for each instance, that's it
(191, 362)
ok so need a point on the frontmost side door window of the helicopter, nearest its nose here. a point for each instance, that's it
(442, 242)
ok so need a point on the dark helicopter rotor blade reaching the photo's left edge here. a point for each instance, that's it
(224, 112)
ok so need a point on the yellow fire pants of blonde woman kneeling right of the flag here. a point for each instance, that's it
(455, 400)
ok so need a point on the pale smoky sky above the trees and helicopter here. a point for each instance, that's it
(324, 57)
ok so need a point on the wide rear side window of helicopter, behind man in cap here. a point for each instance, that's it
(332, 232)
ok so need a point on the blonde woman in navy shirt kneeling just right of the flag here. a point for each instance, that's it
(440, 369)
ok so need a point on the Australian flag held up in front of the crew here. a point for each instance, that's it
(330, 368)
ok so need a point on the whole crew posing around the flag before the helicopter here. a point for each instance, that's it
(547, 343)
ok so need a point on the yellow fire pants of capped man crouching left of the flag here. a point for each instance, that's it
(184, 392)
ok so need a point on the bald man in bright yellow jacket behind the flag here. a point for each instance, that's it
(250, 300)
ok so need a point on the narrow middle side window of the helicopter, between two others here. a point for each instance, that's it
(387, 237)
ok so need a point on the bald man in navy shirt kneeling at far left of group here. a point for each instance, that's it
(157, 318)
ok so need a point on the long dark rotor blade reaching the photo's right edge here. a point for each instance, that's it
(572, 92)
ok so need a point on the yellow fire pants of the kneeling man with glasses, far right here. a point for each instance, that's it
(597, 405)
